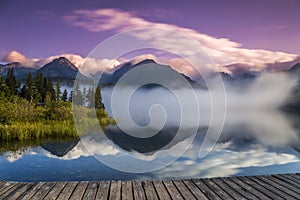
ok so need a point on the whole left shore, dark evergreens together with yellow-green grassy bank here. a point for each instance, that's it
(37, 109)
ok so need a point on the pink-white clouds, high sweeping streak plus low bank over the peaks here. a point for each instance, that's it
(229, 56)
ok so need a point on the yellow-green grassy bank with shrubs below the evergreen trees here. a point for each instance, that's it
(21, 120)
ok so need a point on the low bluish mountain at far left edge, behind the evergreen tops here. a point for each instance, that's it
(19, 70)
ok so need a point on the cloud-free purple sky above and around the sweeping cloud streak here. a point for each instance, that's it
(37, 28)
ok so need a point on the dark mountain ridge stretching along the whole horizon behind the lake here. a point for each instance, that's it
(62, 68)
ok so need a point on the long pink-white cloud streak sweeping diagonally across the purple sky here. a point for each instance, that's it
(228, 55)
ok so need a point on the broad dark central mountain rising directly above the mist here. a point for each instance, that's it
(108, 79)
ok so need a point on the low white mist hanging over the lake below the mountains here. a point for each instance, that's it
(252, 112)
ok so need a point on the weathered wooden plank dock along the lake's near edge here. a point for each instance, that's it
(285, 186)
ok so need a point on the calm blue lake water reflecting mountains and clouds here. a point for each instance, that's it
(253, 142)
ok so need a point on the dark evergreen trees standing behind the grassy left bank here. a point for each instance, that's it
(43, 91)
